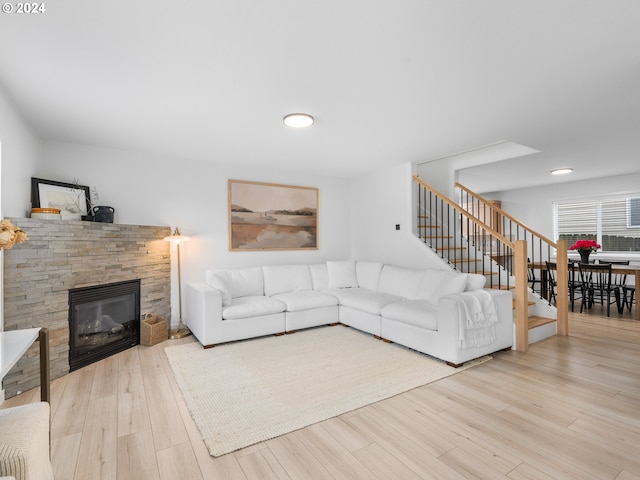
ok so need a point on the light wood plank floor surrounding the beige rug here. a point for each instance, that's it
(567, 409)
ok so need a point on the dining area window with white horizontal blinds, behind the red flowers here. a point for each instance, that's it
(614, 222)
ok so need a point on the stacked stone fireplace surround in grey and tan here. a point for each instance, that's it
(65, 254)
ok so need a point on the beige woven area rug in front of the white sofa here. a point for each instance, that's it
(246, 392)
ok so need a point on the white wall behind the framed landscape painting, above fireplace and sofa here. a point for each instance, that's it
(147, 189)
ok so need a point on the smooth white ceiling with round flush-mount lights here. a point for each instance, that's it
(387, 81)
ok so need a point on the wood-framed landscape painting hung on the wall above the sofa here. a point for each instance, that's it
(268, 216)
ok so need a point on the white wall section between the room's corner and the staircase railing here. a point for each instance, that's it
(379, 201)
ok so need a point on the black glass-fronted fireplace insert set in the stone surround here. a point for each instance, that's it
(103, 320)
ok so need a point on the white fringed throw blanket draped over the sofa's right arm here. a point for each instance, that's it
(478, 318)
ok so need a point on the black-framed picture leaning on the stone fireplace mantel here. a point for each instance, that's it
(72, 199)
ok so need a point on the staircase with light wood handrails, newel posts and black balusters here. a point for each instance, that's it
(474, 235)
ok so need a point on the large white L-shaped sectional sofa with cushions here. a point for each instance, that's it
(443, 313)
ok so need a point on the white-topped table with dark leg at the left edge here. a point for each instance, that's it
(15, 343)
